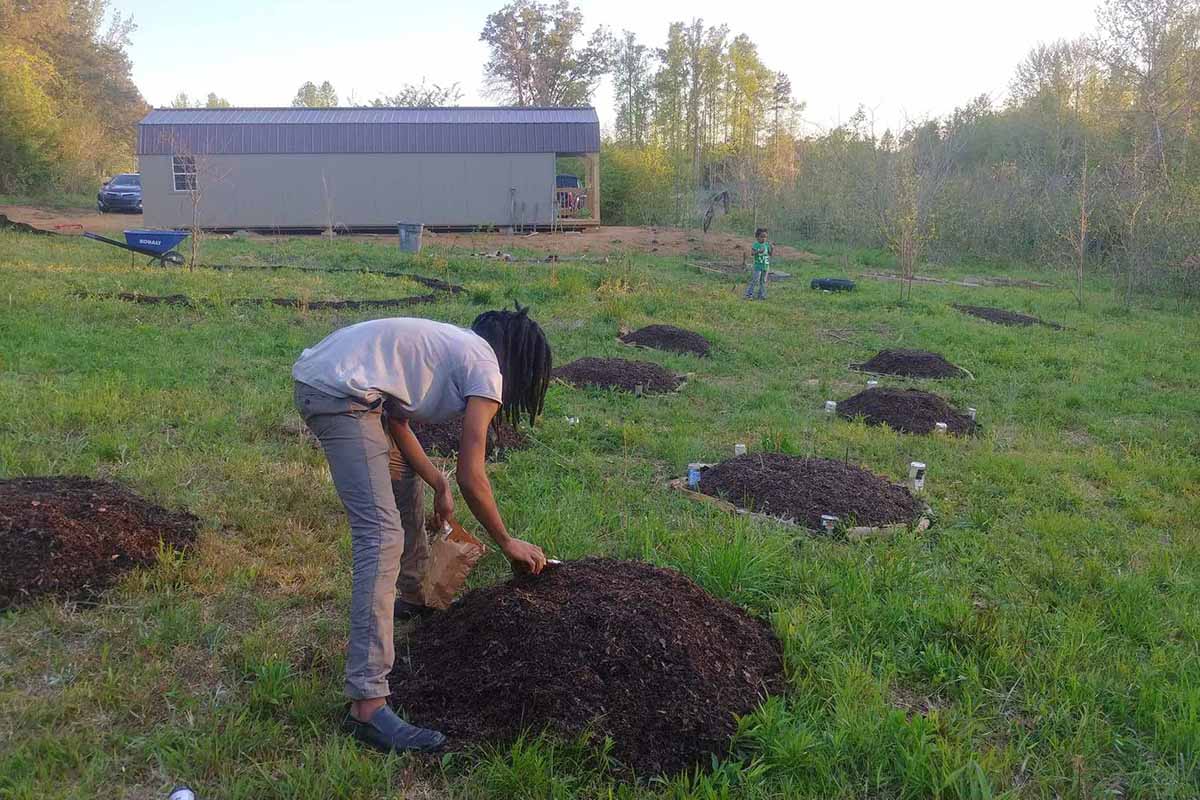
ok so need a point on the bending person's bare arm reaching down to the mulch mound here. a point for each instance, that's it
(477, 490)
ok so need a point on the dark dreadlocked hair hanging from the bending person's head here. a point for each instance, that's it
(525, 358)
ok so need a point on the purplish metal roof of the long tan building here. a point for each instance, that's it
(230, 131)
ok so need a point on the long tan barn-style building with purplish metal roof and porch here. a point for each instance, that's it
(365, 169)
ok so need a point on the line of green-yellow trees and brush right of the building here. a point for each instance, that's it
(1090, 164)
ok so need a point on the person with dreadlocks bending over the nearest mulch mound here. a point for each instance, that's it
(387, 372)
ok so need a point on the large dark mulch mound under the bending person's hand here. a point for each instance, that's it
(622, 648)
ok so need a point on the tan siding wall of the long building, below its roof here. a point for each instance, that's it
(313, 191)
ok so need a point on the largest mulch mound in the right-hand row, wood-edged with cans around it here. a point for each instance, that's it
(805, 489)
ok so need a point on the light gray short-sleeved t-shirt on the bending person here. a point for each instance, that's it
(425, 370)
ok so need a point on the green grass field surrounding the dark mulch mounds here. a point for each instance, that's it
(1041, 641)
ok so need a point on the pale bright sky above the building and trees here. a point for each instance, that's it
(905, 61)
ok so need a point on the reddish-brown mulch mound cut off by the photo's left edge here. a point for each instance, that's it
(74, 537)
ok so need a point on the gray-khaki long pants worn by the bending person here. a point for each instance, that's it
(386, 502)
